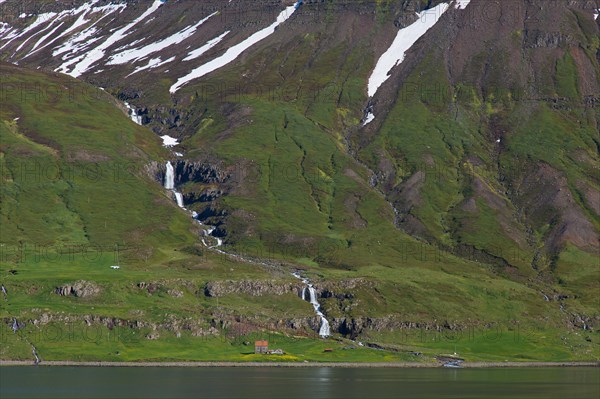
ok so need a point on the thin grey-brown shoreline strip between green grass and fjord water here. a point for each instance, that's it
(67, 363)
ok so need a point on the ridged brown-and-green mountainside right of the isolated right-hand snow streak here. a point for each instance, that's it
(488, 143)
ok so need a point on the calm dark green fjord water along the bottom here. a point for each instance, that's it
(289, 383)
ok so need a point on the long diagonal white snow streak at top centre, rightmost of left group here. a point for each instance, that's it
(233, 52)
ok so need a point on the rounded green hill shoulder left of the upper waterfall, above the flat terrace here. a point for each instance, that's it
(73, 168)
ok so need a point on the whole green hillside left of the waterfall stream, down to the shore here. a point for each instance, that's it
(91, 243)
